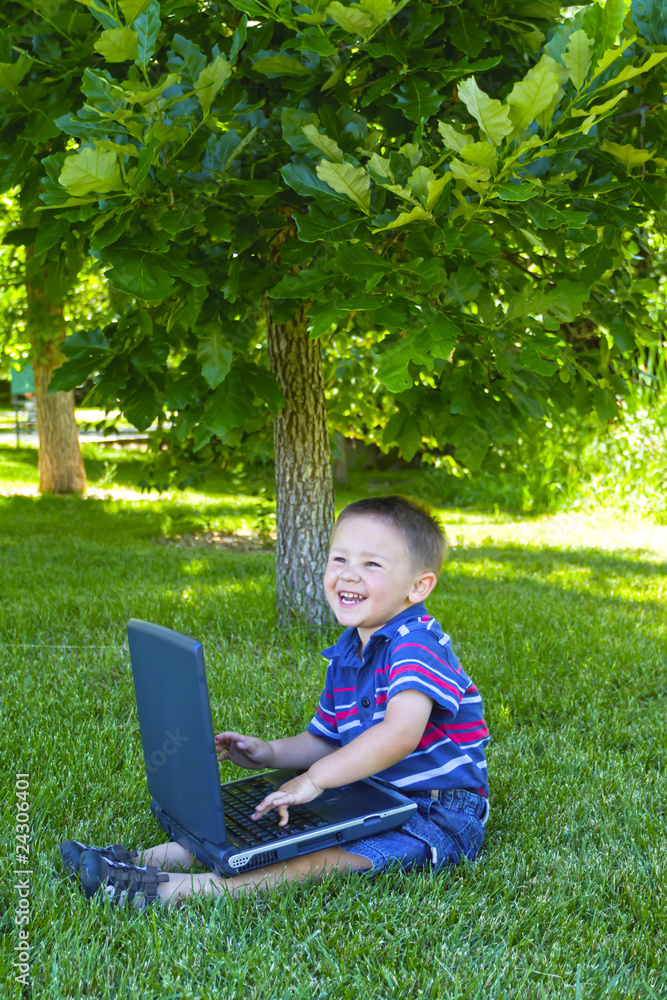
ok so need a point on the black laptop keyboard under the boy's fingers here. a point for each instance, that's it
(239, 803)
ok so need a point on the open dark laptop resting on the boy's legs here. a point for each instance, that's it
(211, 820)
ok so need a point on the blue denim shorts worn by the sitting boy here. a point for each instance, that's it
(444, 830)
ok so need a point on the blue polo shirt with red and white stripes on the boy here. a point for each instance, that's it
(410, 653)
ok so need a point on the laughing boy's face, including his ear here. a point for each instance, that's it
(370, 577)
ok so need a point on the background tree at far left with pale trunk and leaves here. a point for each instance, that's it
(35, 87)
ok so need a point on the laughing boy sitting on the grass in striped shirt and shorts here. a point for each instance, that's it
(396, 704)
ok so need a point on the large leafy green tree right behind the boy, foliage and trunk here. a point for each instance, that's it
(458, 182)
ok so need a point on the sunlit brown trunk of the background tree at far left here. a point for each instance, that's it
(61, 468)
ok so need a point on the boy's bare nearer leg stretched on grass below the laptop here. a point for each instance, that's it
(315, 865)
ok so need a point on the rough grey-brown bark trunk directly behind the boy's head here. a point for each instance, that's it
(304, 490)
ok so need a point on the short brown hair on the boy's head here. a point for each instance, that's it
(424, 535)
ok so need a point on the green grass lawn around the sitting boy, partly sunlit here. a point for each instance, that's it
(561, 623)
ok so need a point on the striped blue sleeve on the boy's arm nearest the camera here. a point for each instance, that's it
(421, 661)
